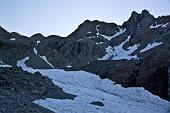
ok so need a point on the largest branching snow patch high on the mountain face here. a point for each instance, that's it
(118, 53)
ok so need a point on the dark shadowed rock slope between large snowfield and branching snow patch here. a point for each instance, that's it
(133, 74)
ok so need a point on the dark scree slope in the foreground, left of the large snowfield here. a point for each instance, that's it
(18, 90)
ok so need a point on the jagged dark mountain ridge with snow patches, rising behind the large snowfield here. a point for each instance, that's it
(135, 54)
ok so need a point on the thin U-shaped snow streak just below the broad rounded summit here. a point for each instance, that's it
(121, 31)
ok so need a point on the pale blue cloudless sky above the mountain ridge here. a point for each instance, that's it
(61, 17)
